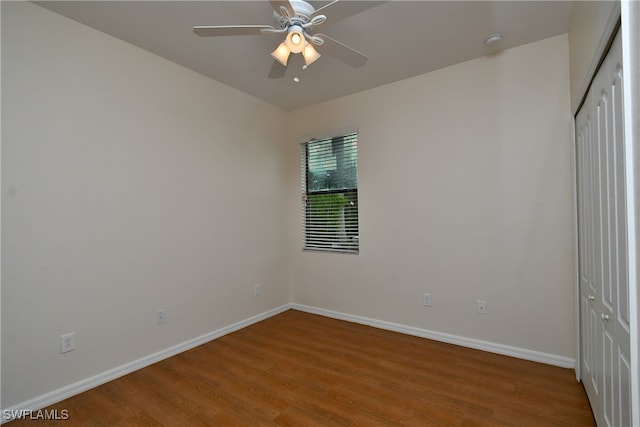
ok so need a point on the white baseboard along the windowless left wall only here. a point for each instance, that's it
(76, 388)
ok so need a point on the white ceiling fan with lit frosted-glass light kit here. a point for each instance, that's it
(297, 20)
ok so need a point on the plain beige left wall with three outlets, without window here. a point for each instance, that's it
(129, 184)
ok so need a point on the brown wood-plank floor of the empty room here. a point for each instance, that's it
(299, 369)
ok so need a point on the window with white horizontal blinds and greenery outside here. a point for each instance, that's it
(330, 194)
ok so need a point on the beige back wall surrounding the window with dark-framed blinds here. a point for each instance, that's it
(464, 192)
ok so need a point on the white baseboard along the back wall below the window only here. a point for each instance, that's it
(506, 350)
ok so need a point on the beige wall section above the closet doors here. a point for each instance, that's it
(587, 39)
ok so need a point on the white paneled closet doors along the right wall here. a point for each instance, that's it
(604, 301)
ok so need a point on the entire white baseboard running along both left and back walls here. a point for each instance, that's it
(76, 388)
